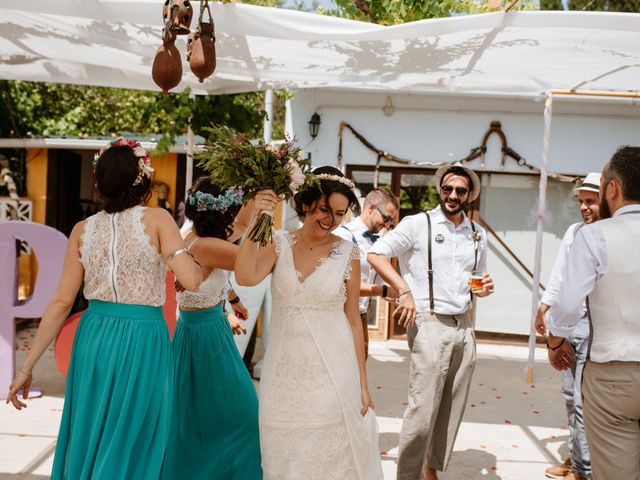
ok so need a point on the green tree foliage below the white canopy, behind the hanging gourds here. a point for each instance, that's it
(45, 109)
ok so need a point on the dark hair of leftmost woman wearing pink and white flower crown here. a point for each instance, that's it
(115, 172)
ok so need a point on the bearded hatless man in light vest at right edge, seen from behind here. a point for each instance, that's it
(603, 265)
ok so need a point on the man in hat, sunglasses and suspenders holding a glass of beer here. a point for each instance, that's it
(438, 250)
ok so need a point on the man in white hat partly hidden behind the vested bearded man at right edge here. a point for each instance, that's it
(577, 466)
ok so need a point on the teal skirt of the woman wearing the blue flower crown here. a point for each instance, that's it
(214, 426)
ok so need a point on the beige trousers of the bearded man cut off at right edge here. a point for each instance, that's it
(611, 404)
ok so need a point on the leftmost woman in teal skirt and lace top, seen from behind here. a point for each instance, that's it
(117, 408)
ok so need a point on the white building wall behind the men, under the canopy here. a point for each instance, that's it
(585, 133)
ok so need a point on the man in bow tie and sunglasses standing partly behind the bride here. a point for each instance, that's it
(379, 210)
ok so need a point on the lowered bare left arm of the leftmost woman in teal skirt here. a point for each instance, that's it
(54, 316)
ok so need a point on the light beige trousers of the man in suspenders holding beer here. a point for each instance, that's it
(443, 356)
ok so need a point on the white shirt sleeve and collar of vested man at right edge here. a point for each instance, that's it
(586, 264)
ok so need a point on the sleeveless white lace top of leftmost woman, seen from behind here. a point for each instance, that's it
(120, 263)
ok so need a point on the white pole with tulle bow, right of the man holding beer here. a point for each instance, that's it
(540, 216)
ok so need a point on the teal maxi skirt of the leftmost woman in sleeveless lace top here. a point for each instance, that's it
(117, 407)
